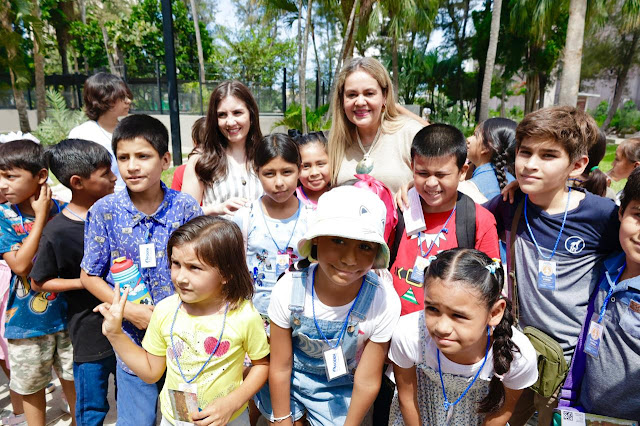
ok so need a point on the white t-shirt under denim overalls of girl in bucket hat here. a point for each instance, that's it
(377, 327)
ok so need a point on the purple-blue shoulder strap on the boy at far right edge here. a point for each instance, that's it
(571, 387)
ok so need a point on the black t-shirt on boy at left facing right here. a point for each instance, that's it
(59, 256)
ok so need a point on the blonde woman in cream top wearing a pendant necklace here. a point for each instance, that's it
(369, 135)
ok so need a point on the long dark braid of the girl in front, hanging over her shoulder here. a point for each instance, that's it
(503, 349)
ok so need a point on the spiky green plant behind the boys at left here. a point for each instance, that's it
(60, 120)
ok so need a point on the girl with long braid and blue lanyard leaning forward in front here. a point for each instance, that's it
(461, 360)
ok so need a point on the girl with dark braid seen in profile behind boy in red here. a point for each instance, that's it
(491, 149)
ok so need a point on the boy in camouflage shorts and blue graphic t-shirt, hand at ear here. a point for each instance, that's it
(35, 322)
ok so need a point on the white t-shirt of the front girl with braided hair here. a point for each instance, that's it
(406, 351)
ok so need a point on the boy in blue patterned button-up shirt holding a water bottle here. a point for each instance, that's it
(136, 224)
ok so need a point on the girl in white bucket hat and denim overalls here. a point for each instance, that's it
(331, 322)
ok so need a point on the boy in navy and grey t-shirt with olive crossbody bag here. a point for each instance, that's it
(562, 234)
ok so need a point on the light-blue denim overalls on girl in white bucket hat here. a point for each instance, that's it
(325, 402)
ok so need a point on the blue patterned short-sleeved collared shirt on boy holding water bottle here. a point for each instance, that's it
(116, 228)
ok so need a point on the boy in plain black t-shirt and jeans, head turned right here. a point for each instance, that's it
(85, 168)
